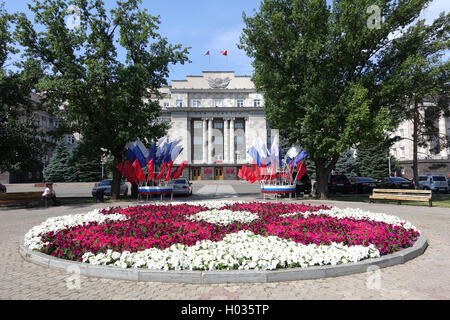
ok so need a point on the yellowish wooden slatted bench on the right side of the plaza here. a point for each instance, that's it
(401, 194)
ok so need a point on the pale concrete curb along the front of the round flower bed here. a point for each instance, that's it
(234, 276)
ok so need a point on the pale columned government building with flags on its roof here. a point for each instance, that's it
(217, 116)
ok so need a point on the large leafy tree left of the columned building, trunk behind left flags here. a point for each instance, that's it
(108, 101)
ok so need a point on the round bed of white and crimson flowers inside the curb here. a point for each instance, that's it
(222, 236)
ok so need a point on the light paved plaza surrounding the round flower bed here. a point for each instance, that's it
(426, 277)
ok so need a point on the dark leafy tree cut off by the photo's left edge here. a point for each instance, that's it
(19, 141)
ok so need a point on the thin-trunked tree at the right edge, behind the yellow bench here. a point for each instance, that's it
(423, 76)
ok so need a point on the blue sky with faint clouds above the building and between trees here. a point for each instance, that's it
(213, 25)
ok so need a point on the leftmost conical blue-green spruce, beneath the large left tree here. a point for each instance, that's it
(61, 167)
